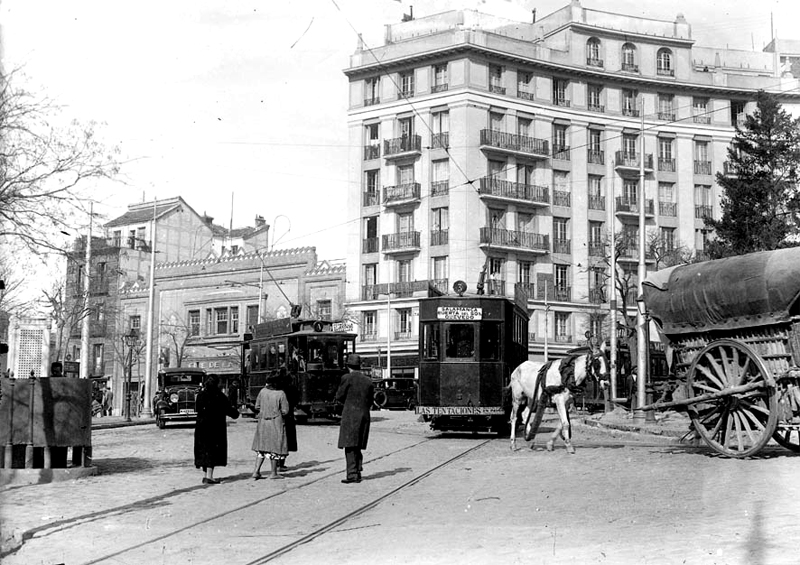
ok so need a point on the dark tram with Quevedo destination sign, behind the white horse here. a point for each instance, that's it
(469, 346)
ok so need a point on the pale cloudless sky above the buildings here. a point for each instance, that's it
(240, 106)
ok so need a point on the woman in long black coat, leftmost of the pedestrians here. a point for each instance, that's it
(210, 432)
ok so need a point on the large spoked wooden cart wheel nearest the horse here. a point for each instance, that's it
(738, 425)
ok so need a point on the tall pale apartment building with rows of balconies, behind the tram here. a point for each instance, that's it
(483, 143)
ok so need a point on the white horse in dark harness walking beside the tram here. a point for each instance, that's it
(540, 382)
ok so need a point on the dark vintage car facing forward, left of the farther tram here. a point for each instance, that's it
(177, 392)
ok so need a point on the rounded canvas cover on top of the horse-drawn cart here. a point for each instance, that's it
(746, 291)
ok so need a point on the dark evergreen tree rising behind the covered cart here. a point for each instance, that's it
(760, 202)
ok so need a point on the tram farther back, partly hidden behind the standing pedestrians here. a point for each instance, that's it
(313, 354)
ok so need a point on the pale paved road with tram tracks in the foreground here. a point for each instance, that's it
(426, 499)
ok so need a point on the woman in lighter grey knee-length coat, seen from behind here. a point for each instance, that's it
(270, 441)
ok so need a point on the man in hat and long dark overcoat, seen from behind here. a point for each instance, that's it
(355, 392)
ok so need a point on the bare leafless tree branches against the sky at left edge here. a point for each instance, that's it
(44, 168)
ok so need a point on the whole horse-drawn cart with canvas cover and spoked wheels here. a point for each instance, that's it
(734, 325)
